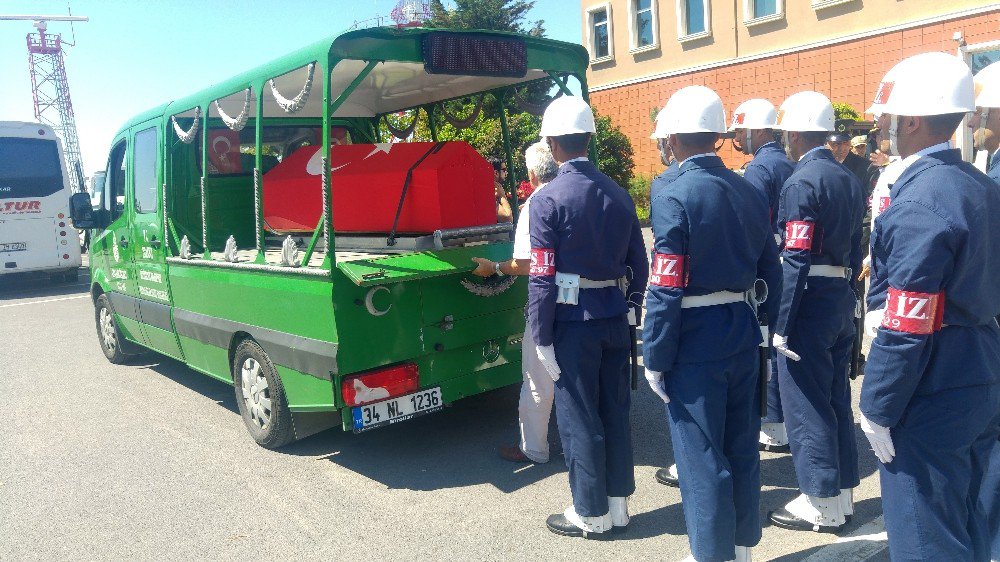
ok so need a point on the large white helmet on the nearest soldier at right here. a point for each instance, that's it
(926, 84)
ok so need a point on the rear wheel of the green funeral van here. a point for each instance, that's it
(260, 397)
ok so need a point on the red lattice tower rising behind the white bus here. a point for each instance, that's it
(50, 88)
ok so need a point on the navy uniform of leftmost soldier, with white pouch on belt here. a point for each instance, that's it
(584, 223)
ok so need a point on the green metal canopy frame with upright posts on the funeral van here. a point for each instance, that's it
(554, 61)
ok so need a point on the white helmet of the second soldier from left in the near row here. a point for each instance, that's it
(692, 109)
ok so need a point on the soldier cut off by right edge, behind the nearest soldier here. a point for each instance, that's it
(986, 134)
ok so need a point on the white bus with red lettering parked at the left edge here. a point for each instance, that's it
(35, 230)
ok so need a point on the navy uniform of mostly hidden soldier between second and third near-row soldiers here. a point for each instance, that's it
(768, 171)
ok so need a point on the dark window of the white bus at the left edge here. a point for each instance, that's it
(29, 168)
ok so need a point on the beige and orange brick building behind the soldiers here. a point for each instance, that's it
(644, 50)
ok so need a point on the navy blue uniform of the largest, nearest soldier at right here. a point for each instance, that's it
(933, 373)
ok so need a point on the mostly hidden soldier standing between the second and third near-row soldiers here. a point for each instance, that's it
(753, 123)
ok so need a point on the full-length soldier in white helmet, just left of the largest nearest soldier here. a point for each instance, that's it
(820, 214)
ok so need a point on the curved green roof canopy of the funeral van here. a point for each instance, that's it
(410, 67)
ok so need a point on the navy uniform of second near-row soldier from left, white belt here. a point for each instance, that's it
(712, 235)
